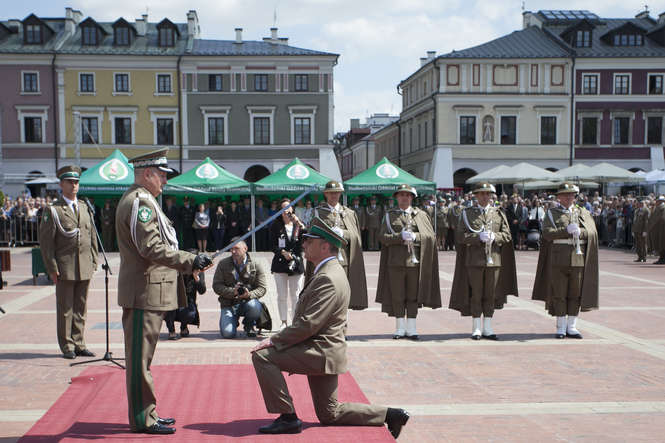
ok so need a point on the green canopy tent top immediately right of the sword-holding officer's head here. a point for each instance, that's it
(206, 180)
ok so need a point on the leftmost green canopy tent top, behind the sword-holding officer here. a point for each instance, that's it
(110, 177)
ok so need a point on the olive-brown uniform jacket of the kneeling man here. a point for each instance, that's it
(319, 321)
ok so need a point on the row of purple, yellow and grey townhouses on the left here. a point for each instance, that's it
(77, 89)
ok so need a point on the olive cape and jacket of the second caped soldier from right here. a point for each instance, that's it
(470, 251)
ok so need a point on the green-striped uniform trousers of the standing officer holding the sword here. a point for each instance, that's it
(141, 328)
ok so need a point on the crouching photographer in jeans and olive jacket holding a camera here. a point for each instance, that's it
(240, 282)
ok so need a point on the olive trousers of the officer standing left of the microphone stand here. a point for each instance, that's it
(71, 297)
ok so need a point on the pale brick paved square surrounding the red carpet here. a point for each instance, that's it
(526, 387)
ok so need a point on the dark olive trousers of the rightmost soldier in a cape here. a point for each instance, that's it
(566, 290)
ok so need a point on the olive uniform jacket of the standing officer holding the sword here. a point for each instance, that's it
(149, 255)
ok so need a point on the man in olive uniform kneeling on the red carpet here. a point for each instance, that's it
(314, 345)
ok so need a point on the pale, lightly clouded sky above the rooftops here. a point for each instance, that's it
(380, 42)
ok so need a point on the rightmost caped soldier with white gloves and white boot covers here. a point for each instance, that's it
(567, 277)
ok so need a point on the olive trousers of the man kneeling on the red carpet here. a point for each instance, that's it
(269, 364)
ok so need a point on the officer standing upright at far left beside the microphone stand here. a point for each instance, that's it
(69, 248)
